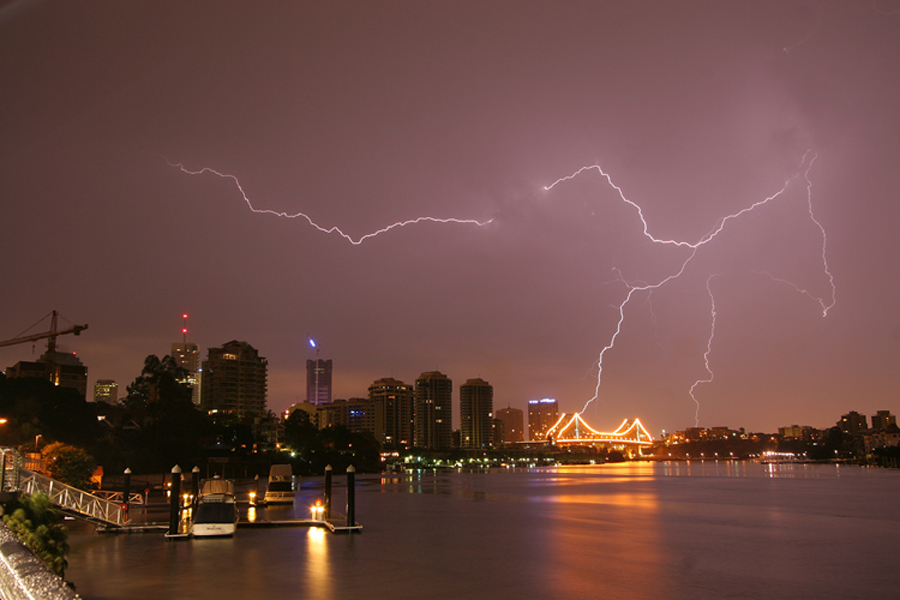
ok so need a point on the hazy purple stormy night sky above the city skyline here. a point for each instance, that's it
(360, 115)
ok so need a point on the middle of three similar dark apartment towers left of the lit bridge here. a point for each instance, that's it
(434, 425)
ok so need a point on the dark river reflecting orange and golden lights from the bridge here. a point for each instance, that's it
(627, 531)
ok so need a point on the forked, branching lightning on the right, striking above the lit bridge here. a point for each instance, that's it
(633, 288)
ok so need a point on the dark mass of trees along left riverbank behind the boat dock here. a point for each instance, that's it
(156, 426)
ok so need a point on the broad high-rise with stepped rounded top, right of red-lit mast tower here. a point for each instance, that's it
(234, 380)
